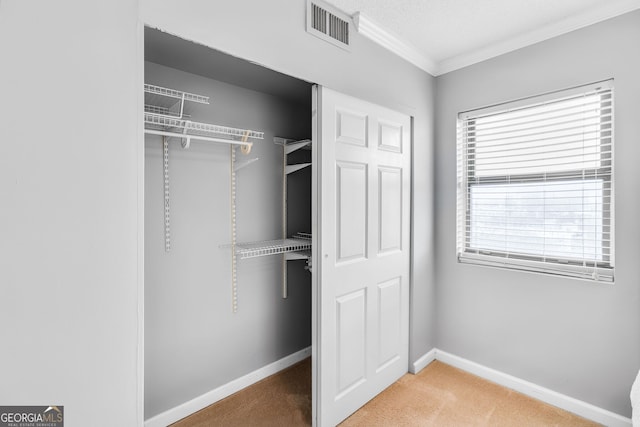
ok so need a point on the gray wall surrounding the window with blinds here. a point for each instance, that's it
(575, 337)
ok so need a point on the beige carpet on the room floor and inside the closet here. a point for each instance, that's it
(439, 395)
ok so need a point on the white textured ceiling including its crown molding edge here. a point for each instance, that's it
(444, 35)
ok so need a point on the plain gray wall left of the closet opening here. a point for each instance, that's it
(71, 140)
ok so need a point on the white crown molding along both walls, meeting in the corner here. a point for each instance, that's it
(384, 38)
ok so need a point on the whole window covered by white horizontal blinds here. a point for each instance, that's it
(535, 184)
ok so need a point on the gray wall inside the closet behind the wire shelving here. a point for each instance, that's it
(194, 343)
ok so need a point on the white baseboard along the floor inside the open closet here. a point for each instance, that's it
(201, 402)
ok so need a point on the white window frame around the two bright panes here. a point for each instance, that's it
(598, 270)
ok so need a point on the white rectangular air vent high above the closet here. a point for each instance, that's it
(328, 23)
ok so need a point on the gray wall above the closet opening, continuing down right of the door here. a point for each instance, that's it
(273, 34)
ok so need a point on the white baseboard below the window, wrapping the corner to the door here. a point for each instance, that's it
(546, 395)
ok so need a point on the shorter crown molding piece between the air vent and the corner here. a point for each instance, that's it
(384, 38)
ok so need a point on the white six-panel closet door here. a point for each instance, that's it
(361, 259)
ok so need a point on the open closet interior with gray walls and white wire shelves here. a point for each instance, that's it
(227, 219)
